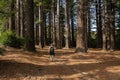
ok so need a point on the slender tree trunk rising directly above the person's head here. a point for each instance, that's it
(53, 23)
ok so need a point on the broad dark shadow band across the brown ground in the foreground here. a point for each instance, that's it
(15, 69)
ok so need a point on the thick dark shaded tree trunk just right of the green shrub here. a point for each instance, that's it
(29, 24)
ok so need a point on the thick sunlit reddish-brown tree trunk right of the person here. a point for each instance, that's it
(81, 38)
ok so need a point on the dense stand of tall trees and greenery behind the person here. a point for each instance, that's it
(65, 23)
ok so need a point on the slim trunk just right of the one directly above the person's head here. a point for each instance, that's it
(59, 35)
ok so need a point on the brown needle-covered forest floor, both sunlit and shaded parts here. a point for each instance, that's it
(16, 64)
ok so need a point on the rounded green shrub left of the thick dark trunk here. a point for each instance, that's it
(9, 38)
